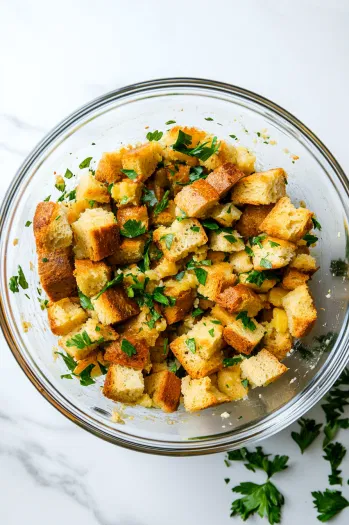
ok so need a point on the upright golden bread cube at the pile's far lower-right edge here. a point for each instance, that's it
(300, 310)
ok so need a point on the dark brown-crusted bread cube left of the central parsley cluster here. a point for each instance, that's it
(113, 306)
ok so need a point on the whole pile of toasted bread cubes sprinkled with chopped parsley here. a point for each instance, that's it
(178, 272)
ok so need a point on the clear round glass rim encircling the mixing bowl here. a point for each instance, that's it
(270, 424)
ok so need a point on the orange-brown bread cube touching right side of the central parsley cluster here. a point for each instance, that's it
(184, 293)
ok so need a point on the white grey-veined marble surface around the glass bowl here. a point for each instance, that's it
(54, 57)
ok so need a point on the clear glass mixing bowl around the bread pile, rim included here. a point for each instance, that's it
(278, 139)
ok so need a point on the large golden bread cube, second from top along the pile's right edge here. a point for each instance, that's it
(287, 222)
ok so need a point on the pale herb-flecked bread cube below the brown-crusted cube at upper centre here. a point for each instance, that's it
(181, 238)
